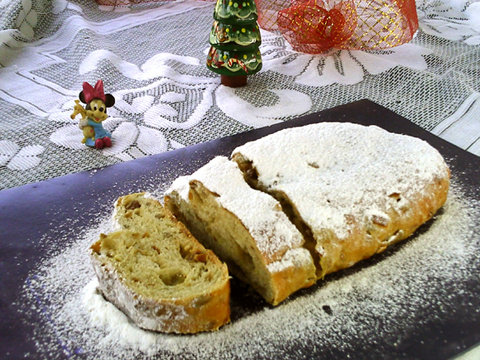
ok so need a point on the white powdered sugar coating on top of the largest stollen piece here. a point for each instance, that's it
(333, 171)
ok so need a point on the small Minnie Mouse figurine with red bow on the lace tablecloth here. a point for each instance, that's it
(94, 135)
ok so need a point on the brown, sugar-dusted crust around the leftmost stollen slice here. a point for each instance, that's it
(206, 310)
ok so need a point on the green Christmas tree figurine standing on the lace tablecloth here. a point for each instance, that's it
(234, 40)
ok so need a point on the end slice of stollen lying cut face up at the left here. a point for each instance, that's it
(157, 273)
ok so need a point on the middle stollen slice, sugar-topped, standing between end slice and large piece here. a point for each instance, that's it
(246, 228)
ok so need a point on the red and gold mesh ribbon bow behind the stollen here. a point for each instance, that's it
(315, 26)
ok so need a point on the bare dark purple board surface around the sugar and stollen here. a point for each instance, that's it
(30, 211)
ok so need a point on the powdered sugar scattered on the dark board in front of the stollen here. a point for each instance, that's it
(374, 306)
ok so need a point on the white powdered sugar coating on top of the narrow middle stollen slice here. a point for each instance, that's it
(261, 214)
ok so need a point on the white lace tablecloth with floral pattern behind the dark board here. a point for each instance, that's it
(152, 59)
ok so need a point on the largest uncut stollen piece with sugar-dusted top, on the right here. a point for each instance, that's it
(352, 190)
